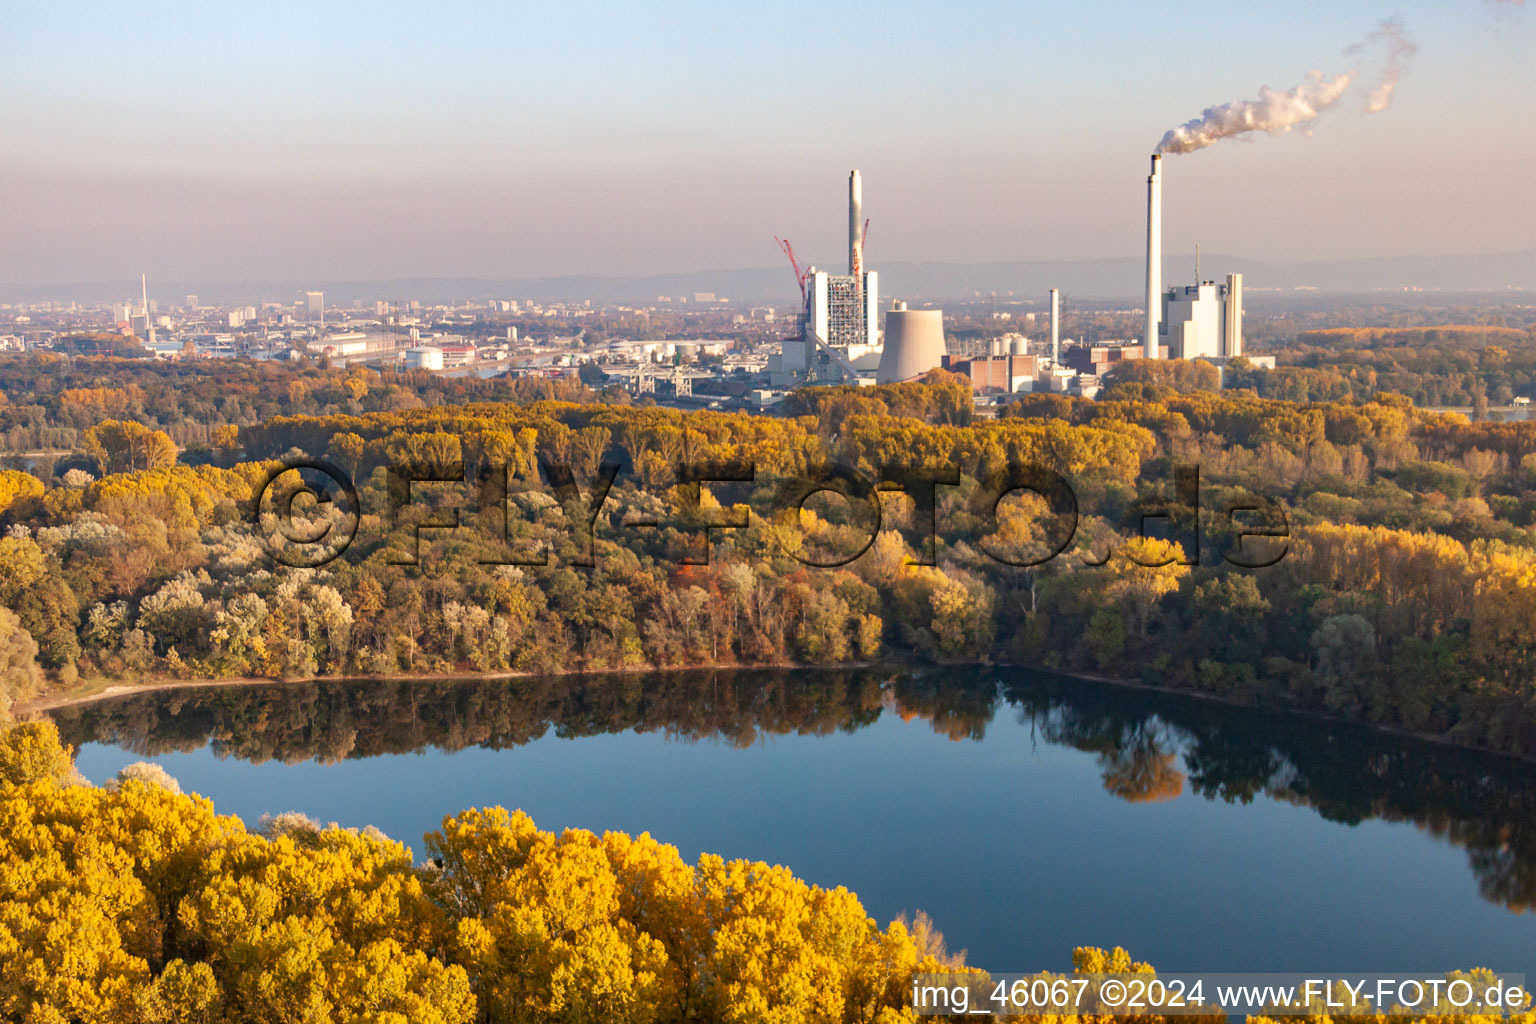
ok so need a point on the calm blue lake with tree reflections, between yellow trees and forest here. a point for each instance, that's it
(1024, 813)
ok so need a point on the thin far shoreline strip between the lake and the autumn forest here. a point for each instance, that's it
(78, 699)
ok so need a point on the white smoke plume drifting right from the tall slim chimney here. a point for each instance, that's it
(1279, 111)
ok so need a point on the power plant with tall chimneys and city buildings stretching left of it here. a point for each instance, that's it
(842, 331)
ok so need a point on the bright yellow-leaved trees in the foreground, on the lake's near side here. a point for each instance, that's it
(139, 903)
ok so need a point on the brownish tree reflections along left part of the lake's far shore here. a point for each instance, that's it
(331, 722)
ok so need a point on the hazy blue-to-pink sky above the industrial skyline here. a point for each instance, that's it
(211, 142)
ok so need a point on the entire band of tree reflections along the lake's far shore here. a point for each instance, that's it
(1346, 775)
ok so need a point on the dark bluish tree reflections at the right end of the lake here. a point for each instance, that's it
(1348, 775)
